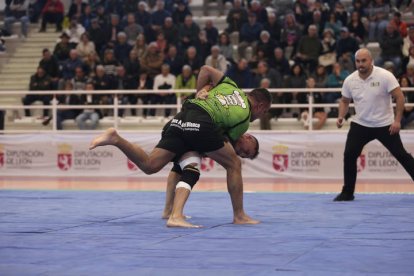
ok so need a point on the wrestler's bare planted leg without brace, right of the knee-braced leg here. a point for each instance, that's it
(226, 156)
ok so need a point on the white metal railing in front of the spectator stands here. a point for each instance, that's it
(116, 105)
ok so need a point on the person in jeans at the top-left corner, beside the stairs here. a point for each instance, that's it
(17, 11)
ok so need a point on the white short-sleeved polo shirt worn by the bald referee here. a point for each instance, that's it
(372, 98)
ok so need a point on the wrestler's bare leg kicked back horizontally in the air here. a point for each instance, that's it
(149, 164)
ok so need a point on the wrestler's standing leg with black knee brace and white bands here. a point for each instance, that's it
(189, 164)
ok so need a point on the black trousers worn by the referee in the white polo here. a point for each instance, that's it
(358, 137)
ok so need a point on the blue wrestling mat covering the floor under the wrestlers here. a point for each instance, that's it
(121, 233)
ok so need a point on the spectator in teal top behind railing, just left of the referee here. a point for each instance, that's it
(335, 80)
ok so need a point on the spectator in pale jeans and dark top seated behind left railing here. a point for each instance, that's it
(89, 117)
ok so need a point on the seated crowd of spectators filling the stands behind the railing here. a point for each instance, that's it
(130, 45)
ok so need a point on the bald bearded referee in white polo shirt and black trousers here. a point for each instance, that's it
(371, 88)
